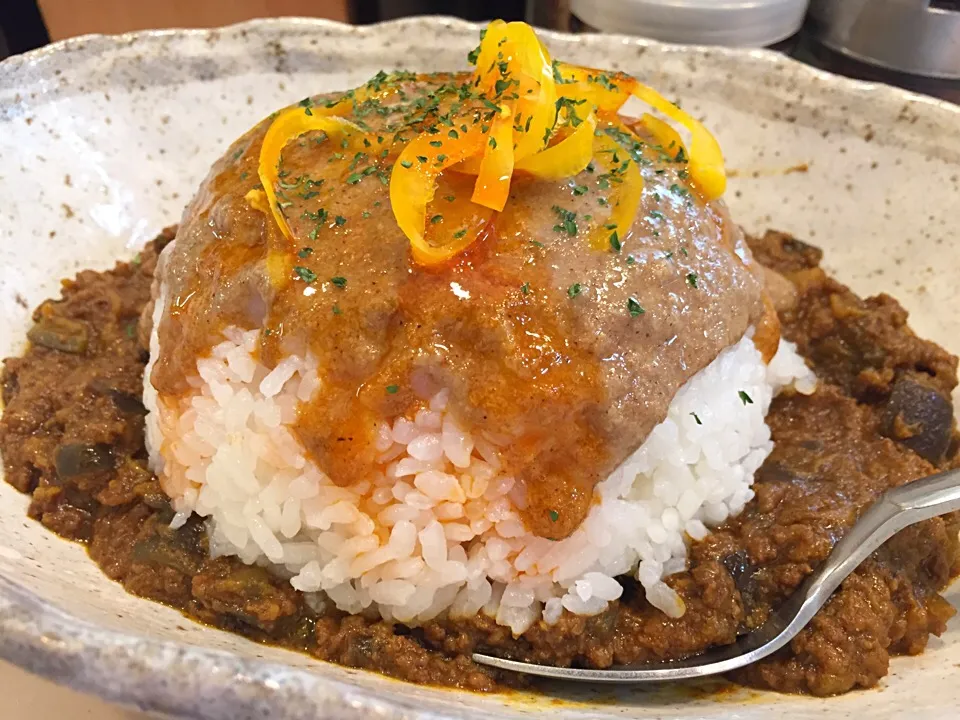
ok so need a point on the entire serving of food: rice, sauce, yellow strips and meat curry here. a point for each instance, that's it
(472, 362)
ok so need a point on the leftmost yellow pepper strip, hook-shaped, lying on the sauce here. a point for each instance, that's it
(287, 127)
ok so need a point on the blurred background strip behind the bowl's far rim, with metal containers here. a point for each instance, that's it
(912, 43)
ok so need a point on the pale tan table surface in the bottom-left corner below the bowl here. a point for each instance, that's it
(30, 697)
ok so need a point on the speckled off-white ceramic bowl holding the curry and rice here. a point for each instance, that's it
(102, 141)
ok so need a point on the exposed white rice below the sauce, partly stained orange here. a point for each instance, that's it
(437, 529)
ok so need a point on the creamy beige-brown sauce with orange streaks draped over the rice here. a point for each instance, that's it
(535, 332)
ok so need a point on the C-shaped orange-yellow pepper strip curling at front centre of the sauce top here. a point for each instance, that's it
(414, 183)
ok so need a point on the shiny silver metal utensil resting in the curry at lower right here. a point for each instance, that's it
(908, 504)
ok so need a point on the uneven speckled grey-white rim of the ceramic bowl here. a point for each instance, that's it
(49, 641)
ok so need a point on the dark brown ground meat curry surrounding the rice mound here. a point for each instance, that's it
(72, 436)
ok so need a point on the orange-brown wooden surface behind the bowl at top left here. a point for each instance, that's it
(67, 18)
